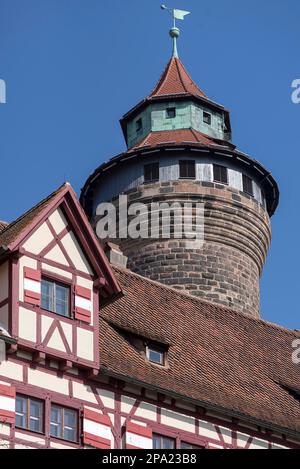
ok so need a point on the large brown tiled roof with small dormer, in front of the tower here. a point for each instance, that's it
(216, 356)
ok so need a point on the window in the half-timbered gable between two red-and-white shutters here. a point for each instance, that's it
(55, 297)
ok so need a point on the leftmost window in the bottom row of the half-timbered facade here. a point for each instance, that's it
(29, 413)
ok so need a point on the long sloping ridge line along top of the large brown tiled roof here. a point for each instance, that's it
(194, 299)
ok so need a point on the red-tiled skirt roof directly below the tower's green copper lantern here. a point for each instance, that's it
(179, 136)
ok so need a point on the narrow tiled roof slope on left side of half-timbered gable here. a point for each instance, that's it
(14, 229)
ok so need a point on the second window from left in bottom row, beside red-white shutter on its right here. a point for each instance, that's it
(64, 423)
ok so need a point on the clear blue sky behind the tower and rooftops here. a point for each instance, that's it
(72, 68)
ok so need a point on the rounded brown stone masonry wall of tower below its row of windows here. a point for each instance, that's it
(227, 269)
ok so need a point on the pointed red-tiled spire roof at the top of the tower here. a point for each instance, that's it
(176, 80)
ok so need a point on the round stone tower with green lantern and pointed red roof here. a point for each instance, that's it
(180, 150)
